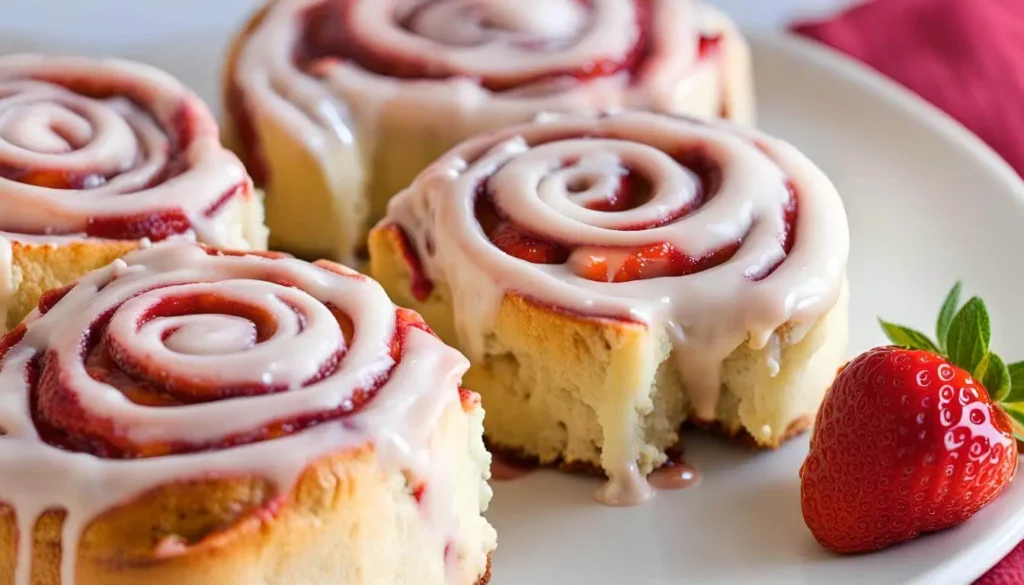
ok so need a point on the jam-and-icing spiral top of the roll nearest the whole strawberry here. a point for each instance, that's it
(611, 208)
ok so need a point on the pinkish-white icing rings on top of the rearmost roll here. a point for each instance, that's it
(524, 41)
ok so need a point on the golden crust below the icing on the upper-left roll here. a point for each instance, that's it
(39, 268)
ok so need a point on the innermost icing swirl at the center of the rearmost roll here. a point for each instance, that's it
(488, 40)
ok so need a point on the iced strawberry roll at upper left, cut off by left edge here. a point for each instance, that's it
(96, 157)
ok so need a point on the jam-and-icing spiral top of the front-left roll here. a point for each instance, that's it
(244, 329)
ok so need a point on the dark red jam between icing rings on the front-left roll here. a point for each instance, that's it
(118, 364)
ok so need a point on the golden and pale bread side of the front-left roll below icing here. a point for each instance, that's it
(239, 531)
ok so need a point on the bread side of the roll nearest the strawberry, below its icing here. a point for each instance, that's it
(566, 389)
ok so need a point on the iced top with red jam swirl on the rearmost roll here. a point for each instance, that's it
(529, 53)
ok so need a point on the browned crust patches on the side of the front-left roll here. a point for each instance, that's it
(199, 518)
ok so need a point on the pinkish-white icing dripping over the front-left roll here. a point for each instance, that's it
(398, 421)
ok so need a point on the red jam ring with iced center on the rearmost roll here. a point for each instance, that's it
(330, 33)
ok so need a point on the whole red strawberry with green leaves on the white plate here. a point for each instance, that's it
(909, 440)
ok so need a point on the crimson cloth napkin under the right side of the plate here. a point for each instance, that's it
(967, 58)
